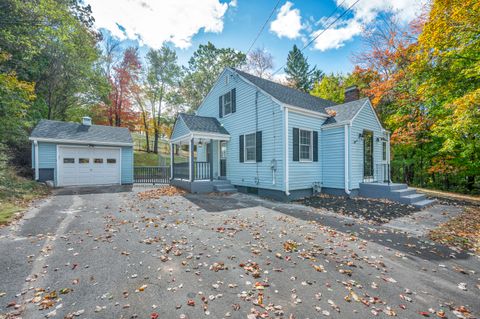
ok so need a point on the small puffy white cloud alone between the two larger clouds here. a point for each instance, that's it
(287, 23)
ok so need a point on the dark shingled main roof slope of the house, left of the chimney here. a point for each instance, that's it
(287, 94)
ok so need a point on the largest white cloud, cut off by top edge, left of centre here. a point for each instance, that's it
(154, 22)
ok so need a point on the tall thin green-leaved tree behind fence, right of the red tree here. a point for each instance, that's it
(163, 78)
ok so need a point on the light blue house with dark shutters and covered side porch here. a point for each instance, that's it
(257, 136)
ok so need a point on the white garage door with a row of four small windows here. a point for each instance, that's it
(88, 166)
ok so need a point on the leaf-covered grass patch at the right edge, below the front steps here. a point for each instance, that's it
(462, 231)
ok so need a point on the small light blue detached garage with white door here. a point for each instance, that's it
(74, 154)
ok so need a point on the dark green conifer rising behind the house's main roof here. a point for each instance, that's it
(299, 74)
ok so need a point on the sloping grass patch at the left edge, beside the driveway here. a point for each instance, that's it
(16, 193)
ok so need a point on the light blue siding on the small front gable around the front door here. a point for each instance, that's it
(365, 120)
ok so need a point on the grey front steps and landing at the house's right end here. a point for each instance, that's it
(396, 192)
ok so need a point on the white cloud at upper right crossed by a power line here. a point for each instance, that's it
(364, 13)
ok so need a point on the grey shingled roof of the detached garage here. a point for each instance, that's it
(69, 131)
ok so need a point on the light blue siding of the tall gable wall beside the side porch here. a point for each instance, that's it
(243, 121)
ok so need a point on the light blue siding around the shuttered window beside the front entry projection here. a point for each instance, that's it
(303, 174)
